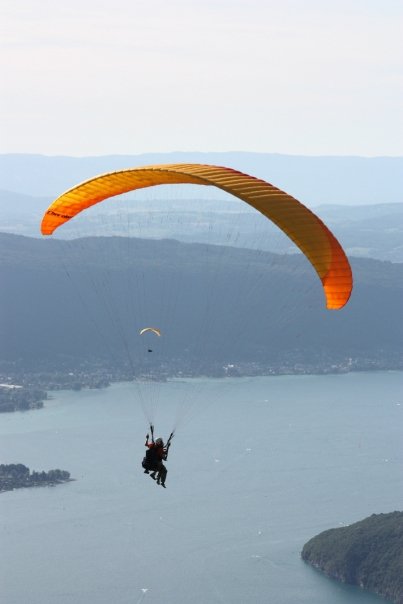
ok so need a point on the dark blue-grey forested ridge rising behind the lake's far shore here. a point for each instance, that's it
(215, 305)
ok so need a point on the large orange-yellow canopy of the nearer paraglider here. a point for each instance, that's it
(300, 224)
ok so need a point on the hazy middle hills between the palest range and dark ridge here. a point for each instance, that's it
(372, 231)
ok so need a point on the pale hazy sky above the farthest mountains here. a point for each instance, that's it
(96, 77)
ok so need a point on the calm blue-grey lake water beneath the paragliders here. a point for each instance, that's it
(260, 466)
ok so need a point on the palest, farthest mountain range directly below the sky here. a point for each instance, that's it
(312, 180)
